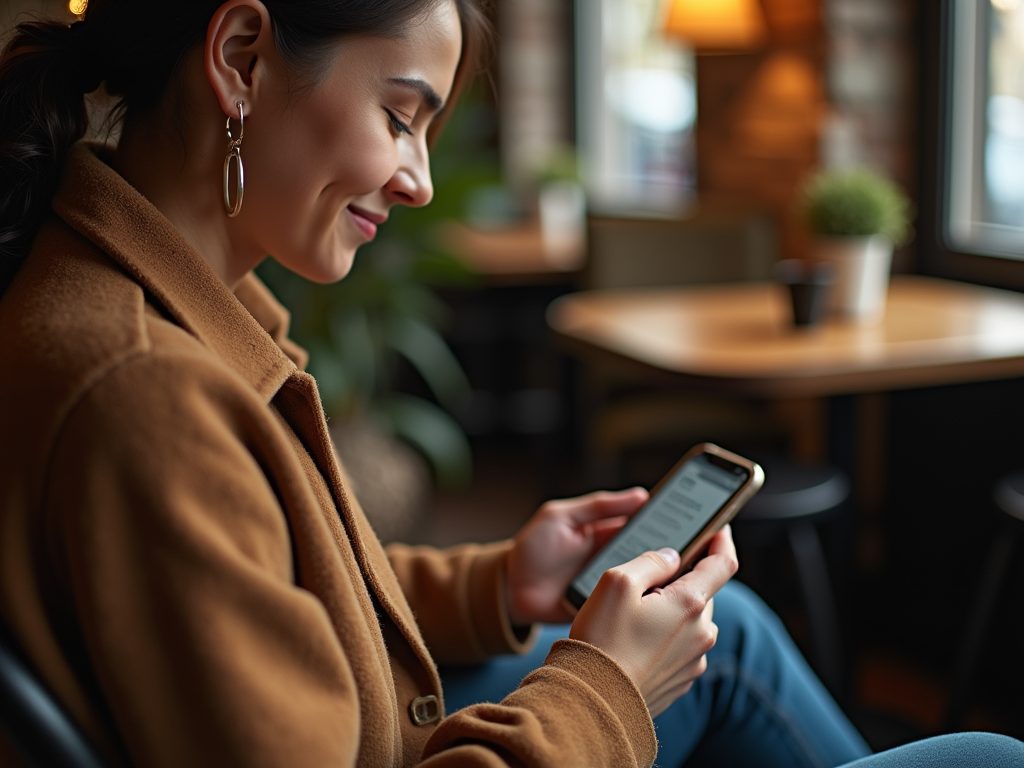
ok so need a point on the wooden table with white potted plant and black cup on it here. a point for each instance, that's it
(738, 338)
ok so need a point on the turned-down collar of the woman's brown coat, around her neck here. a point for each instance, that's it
(246, 330)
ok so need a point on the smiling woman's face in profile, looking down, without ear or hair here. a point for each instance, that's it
(324, 168)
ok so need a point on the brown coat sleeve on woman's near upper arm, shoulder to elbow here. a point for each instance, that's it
(179, 563)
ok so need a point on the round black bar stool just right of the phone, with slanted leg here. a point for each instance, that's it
(794, 499)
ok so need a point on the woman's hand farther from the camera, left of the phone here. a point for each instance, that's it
(556, 545)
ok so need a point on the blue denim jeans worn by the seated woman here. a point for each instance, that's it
(759, 704)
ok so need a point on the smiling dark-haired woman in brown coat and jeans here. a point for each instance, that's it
(181, 558)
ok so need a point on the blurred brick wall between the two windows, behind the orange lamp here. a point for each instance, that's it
(831, 89)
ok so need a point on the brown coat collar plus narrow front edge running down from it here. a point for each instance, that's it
(247, 330)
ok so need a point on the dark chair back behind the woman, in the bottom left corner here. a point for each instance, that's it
(32, 720)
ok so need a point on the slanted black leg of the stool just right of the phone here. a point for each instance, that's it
(820, 600)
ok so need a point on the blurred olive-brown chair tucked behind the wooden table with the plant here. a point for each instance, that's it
(715, 244)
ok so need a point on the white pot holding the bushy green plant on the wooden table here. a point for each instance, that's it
(862, 276)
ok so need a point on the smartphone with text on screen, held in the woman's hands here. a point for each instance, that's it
(706, 489)
